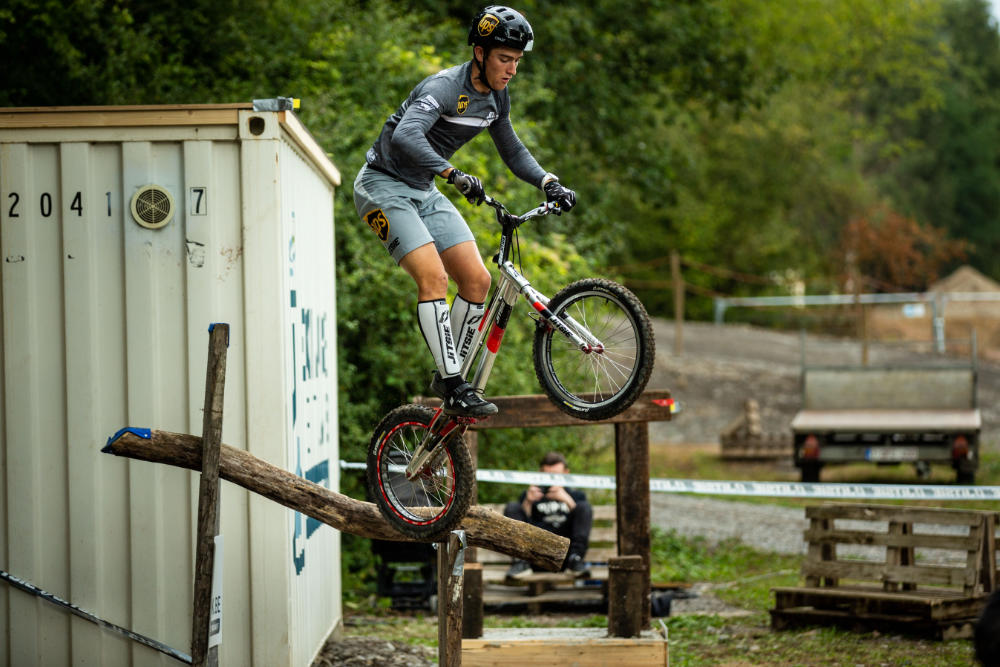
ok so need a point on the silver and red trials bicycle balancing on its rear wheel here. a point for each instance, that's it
(593, 353)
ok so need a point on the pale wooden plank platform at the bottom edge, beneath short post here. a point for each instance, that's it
(581, 647)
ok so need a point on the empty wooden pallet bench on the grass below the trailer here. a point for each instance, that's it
(897, 592)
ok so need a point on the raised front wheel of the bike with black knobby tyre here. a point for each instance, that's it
(605, 379)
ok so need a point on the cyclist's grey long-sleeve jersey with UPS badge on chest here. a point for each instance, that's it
(443, 113)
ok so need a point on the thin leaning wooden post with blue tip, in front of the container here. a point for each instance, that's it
(208, 498)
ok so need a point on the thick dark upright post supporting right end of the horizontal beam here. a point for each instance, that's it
(632, 499)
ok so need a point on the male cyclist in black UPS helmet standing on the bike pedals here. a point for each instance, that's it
(396, 195)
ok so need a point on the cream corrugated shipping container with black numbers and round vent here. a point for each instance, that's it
(124, 233)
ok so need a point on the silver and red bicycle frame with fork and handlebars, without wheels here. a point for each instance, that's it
(490, 336)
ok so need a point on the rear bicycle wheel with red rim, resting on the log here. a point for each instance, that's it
(436, 500)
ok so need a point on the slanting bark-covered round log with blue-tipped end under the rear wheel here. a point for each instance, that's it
(483, 527)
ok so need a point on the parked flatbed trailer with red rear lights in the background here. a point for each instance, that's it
(924, 413)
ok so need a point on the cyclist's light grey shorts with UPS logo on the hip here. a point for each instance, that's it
(404, 218)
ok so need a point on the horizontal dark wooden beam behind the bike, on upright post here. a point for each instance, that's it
(538, 410)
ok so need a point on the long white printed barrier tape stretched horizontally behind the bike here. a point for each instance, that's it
(737, 488)
